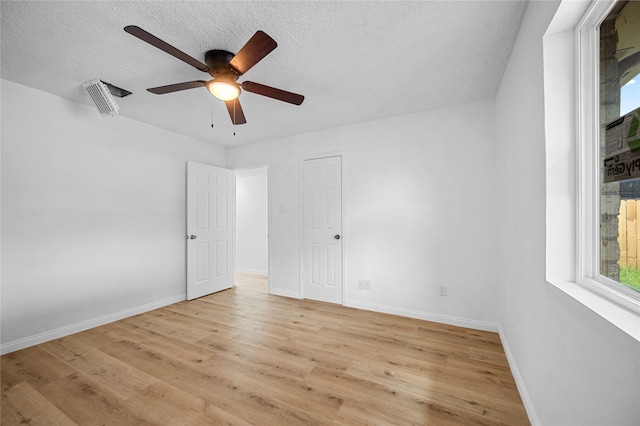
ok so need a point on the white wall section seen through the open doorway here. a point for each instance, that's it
(251, 221)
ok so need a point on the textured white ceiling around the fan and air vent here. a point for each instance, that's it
(353, 61)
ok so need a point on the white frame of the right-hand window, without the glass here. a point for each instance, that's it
(588, 191)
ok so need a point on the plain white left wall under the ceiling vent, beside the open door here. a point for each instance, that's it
(93, 215)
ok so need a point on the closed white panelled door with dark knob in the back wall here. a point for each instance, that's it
(322, 227)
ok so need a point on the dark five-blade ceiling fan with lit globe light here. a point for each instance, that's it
(225, 68)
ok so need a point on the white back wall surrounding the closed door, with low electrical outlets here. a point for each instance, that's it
(419, 211)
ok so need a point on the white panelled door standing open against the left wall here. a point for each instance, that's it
(209, 229)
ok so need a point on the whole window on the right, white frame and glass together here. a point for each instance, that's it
(609, 134)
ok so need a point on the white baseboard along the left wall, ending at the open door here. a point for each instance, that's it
(85, 325)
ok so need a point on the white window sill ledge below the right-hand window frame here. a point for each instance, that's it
(624, 319)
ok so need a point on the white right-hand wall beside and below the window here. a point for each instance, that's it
(574, 367)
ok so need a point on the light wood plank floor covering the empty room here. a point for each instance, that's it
(245, 357)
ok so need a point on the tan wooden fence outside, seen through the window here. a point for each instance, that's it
(629, 233)
